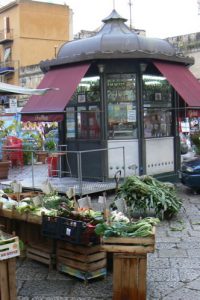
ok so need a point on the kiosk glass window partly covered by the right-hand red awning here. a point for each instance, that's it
(157, 101)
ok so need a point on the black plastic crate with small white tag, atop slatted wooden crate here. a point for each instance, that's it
(77, 232)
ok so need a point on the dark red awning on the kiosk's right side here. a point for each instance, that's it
(183, 81)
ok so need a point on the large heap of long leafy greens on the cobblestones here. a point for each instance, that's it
(144, 194)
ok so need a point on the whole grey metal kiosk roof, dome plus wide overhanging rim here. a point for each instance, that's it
(114, 40)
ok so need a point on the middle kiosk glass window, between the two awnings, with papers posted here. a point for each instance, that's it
(121, 99)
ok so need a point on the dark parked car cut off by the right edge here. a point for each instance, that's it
(190, 173)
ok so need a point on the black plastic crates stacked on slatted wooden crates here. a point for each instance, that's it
(78, 252)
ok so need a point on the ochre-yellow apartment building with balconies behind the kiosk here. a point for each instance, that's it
(30, 31)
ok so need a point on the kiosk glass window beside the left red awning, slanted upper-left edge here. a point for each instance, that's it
(83, 113)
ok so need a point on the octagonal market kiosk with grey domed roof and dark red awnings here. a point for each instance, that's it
(119, 91)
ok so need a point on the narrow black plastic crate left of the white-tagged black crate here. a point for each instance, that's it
(50, 226)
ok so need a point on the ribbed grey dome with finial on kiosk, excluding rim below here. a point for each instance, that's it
(115, 36)
